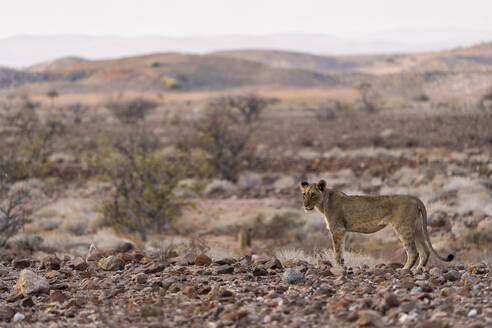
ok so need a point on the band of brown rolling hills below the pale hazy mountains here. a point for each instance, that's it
(446, 72)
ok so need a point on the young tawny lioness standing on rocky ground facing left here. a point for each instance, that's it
(369, 214)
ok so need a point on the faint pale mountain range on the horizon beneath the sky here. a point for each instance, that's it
(26, 50)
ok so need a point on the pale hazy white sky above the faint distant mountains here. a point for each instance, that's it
(343, 18)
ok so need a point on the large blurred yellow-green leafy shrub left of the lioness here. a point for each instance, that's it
(144, 182)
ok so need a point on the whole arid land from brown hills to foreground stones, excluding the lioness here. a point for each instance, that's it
(163, 190)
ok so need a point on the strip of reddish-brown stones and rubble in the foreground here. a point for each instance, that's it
(128, 289)
